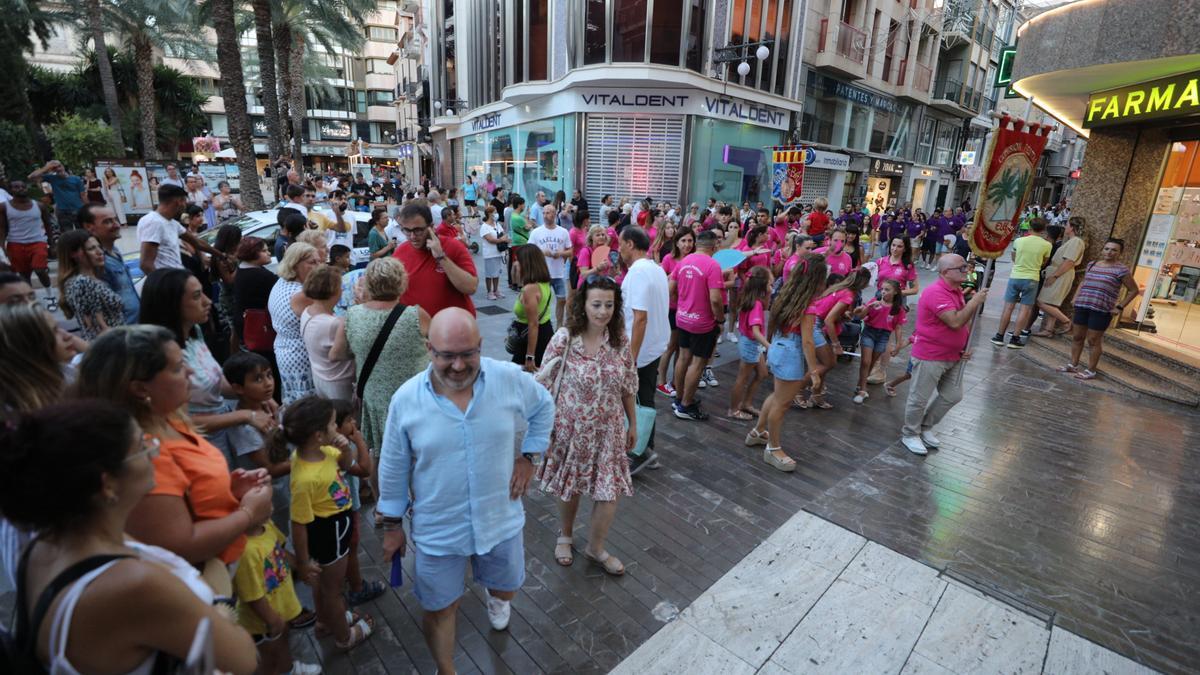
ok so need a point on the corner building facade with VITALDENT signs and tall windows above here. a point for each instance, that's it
(622, 98)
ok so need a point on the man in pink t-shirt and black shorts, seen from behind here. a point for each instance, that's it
(698, 285)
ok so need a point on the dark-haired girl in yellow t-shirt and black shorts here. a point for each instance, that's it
(321, 512)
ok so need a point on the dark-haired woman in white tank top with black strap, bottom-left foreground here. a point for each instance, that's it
(116, 606)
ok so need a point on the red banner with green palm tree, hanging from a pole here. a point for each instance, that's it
(1013, 158)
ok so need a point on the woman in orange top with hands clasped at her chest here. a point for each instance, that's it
(197, 509)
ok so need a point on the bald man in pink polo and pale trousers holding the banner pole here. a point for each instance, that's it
(940, 347)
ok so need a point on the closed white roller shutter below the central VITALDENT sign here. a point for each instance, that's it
(634, 157)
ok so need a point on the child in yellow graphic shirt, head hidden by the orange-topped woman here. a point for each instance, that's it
(267, 600)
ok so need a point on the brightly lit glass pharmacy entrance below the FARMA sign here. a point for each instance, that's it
(1168, 266)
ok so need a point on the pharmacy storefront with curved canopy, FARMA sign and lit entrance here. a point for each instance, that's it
(1139, 105)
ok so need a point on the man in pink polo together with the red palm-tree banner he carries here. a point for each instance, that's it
(945, 319)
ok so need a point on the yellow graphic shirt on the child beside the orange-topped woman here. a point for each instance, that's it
(263, 572)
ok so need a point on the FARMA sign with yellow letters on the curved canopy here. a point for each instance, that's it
(1162, 99)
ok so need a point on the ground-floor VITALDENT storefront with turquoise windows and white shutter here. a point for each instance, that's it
(670, 145)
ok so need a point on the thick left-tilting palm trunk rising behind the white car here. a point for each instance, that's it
(233, 91)
